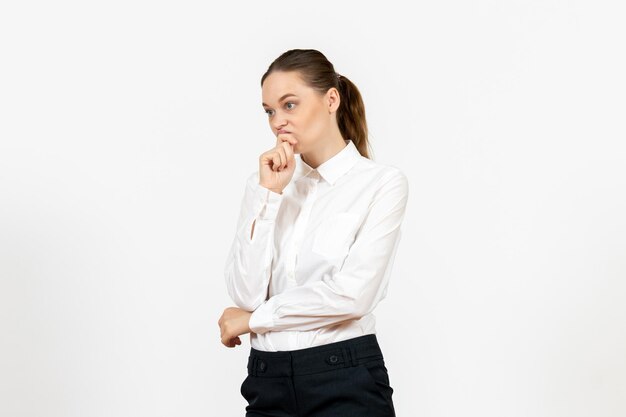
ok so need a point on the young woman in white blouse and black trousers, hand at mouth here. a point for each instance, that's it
(316, 237)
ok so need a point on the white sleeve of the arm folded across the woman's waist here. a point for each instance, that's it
(356, 289)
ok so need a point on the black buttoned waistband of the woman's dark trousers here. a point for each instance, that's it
(350, 352)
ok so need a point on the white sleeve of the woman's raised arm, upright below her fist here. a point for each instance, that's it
(249, 262)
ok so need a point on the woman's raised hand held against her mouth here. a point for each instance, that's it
(276, 166)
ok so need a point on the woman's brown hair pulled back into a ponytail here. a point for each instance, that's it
(319, 74)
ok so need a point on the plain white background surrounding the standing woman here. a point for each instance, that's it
(127, 130)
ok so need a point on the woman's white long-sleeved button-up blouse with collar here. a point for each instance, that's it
(321, 255)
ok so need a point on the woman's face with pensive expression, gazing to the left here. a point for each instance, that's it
(297, 109)
